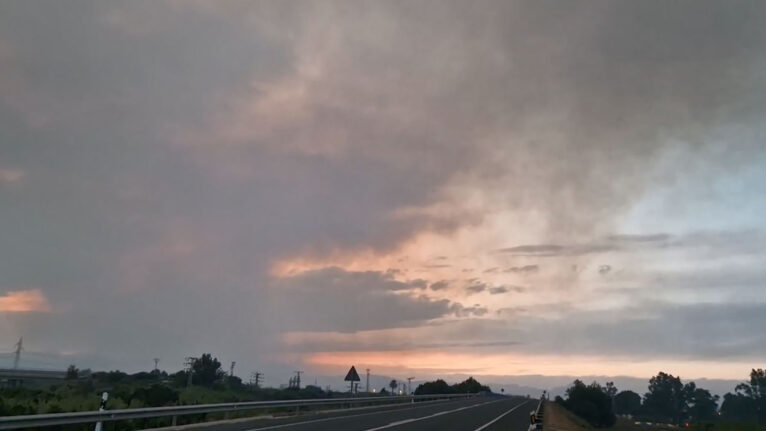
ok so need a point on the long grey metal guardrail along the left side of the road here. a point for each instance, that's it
(31, 421)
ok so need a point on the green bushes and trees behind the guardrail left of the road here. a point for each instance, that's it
(209, 384)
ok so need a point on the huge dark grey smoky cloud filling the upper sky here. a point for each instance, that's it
(157, 157)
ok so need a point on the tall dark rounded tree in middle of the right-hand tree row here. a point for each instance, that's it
(665, 400)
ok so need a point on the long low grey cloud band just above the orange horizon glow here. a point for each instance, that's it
(640, 332)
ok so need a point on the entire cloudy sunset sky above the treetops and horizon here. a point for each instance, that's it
(427, 188)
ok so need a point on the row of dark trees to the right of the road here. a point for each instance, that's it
(668, 400)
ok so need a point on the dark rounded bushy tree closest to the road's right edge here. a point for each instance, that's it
(590, 403)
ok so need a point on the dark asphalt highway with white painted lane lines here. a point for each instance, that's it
(473, 414)
